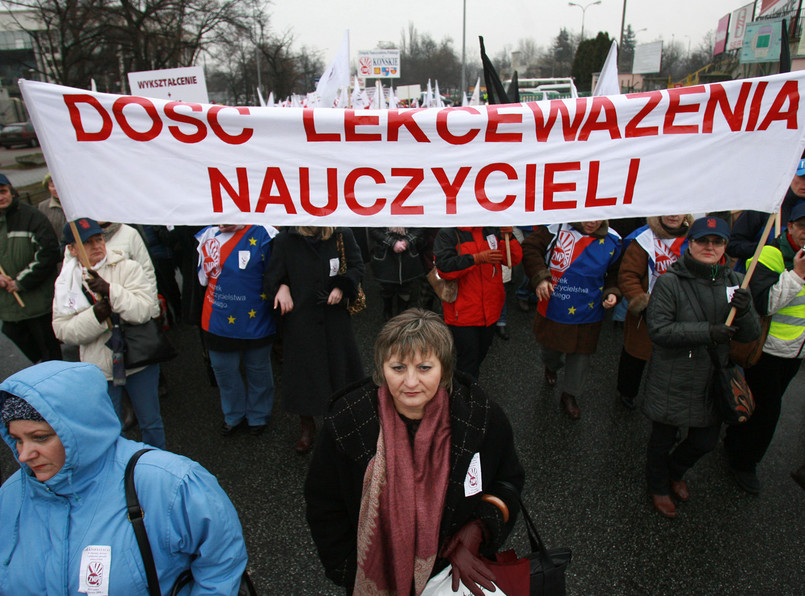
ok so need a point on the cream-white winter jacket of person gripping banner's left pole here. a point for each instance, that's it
(131, 295)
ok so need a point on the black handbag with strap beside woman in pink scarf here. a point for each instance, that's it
(546, 567)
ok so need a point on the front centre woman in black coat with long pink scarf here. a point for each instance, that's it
(407, 474)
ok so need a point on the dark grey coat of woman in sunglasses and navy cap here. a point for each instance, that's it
(680, 368)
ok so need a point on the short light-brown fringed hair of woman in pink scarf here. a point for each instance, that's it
(411, 332)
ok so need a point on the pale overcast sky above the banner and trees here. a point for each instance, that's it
(321, 23)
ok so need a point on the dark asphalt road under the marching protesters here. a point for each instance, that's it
(584, 480)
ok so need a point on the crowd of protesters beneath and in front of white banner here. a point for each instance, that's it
(401, 445)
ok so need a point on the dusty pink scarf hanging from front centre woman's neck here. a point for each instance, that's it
(402, 501)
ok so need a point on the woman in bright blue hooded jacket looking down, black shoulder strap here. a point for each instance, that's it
(63, 514)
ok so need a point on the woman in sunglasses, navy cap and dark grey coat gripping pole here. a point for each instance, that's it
(686, 321)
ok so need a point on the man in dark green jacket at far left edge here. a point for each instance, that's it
(29, 258)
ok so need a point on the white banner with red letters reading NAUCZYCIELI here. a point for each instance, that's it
(731, 145)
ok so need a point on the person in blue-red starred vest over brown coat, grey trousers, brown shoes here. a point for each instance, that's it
(573, 270)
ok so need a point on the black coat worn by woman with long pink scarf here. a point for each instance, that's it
(348, 442)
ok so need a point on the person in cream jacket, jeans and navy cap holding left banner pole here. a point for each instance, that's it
(84, 301)
